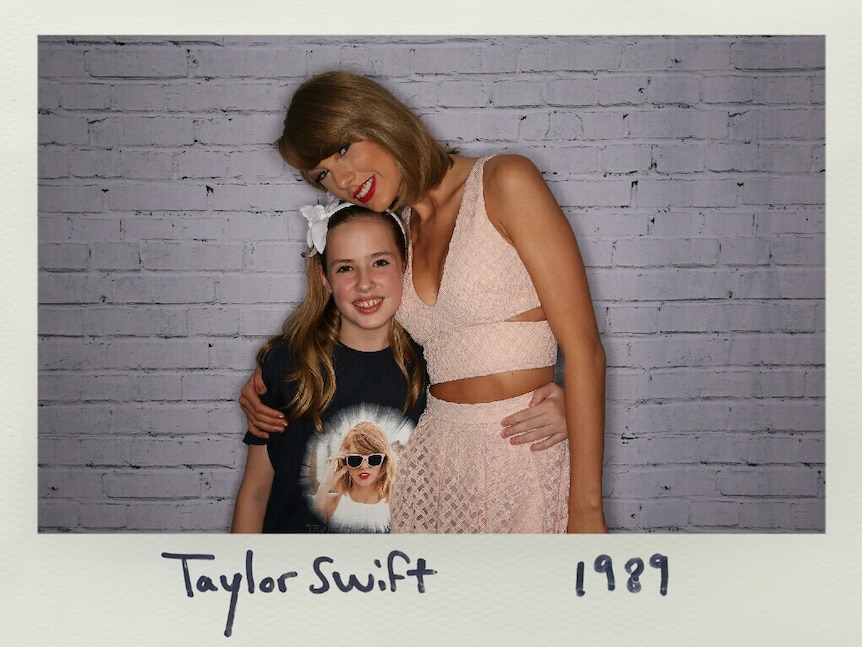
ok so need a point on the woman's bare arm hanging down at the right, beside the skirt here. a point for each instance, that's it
(521, 205)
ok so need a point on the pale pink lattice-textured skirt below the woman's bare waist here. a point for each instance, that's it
(457, 475)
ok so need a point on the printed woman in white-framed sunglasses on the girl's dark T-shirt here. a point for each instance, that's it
(357, 483)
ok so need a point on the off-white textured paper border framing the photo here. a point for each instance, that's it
(744, 589)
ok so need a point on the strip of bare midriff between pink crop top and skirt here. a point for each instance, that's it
(489, 388)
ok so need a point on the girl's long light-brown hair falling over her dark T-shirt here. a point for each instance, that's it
(312, 333)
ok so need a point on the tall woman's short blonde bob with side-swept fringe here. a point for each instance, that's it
(334, 109)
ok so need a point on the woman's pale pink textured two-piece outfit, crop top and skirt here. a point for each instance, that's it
(457, 474)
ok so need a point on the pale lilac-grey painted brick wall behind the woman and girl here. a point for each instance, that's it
(692, 171)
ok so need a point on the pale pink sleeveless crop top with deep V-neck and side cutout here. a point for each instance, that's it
(465, 334)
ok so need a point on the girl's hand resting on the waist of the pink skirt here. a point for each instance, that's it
(543, 423)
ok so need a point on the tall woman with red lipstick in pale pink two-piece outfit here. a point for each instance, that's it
(349, 136)
